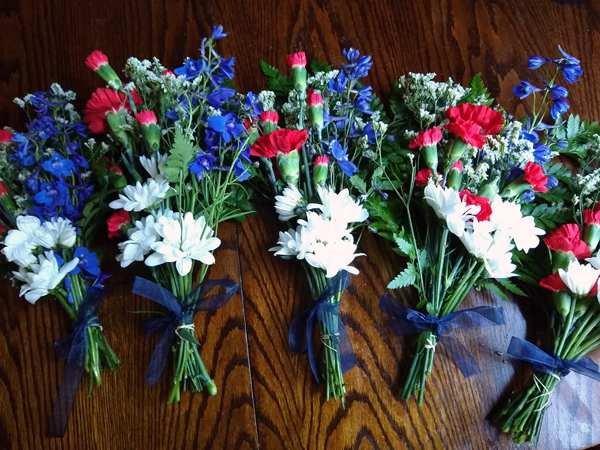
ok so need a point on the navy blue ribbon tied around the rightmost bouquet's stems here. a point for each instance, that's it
(551, 364)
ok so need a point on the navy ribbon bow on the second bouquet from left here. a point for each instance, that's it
(181, 314)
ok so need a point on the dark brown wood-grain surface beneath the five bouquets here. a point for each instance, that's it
(267, 396)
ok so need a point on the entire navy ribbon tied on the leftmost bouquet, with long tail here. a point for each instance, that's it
(74, 347)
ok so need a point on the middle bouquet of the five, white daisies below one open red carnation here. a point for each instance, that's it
(332, 125)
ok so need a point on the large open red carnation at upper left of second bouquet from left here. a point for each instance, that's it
(103, 101)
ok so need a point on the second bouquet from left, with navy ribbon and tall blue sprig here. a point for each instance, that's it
(184, 146)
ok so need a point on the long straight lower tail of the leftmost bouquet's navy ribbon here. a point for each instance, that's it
(69, 384)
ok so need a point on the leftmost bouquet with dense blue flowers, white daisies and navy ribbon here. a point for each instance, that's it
(54, 179)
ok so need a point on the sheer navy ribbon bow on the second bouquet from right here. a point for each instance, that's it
(407, 321)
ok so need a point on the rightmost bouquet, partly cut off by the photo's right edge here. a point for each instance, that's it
(567, 267)
